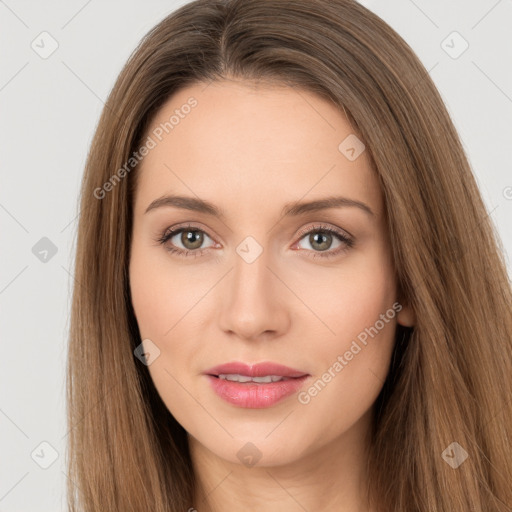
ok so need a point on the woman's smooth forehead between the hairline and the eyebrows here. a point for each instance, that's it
(268, 144)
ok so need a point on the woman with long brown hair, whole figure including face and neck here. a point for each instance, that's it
(290, 294)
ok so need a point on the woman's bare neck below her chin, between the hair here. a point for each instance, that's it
(331, 477)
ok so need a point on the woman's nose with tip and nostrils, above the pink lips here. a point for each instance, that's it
(253, 301)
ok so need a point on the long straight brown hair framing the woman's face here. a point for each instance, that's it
(451, 376)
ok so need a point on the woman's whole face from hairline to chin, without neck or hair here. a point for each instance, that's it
(241, 270)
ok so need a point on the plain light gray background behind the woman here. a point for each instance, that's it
(49, 110)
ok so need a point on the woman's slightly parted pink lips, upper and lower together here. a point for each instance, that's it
(254, 395)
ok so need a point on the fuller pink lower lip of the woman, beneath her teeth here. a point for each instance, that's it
(252, 395)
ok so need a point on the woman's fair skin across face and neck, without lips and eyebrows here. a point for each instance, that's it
(250, 148)
